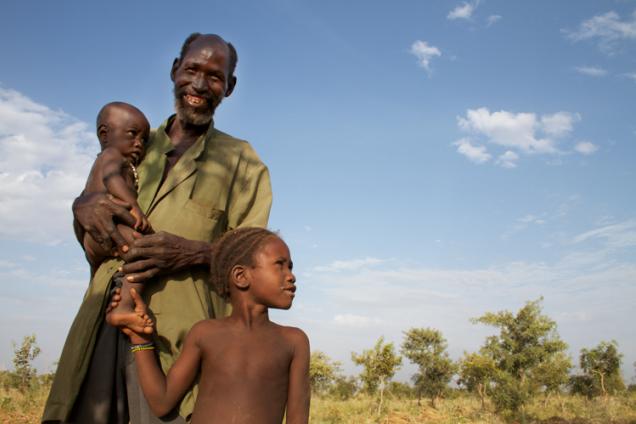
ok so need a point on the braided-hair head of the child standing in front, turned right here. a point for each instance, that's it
(256, 260)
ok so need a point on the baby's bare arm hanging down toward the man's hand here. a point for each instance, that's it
(113, 177)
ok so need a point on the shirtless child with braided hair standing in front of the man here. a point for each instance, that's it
(251, 369)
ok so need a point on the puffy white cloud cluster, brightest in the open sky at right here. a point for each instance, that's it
(517, 133)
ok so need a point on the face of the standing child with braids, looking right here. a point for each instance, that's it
(272, 280)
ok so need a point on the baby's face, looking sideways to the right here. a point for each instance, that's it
(128, 133)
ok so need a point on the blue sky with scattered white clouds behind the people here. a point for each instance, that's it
(430, 160)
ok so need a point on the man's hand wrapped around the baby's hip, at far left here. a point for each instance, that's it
(95, 214)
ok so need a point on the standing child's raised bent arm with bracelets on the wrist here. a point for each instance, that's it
(164, 392)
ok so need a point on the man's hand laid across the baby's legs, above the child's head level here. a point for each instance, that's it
(162, 253)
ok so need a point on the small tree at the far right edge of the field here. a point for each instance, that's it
(601, 368)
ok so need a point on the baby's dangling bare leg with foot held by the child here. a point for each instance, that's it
(124, 314)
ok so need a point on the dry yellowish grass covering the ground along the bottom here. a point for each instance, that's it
(18, 408)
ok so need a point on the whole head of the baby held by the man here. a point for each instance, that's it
(124, 127)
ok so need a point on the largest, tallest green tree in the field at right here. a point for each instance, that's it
(526, 341)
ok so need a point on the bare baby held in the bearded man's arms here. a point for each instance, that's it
(122, 131)
